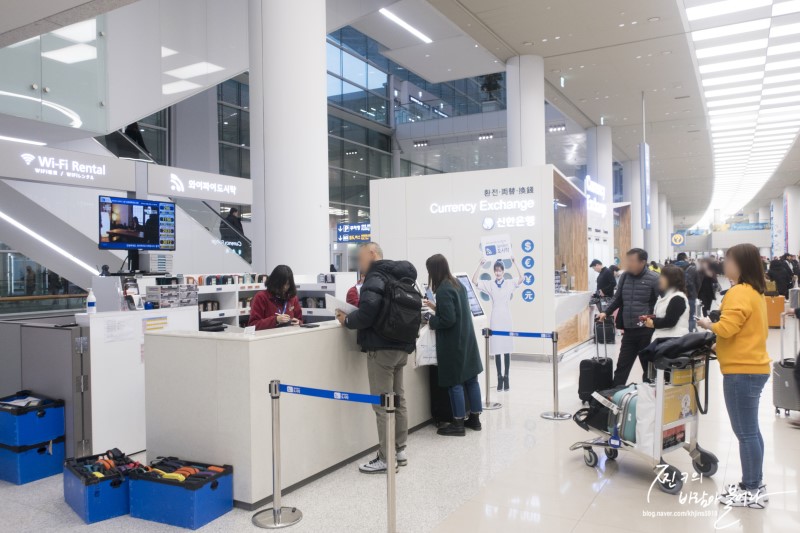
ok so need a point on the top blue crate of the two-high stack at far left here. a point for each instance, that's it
(31, 424)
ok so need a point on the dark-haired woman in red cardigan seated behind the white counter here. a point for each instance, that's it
(277, 306)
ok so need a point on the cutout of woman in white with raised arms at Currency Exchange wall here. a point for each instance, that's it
(500, 290)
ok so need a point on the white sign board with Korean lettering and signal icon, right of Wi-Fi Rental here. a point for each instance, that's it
(183, 183)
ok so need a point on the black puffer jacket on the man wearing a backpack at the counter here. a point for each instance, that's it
(371, 302)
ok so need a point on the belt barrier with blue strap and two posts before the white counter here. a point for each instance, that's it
(278, 516)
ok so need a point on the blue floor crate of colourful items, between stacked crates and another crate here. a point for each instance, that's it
(95, 499)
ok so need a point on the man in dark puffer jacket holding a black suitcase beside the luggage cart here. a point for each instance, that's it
(636, 297)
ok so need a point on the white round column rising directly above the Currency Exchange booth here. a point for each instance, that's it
(525, 111)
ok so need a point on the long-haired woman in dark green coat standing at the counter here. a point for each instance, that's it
(457, 351)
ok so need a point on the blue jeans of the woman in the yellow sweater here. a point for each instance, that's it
(742, 392)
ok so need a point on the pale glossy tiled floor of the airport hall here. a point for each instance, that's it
(516, 475)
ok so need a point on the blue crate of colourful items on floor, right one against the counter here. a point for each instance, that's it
(188, 505)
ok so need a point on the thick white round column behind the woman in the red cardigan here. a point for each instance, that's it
(289, 143)
